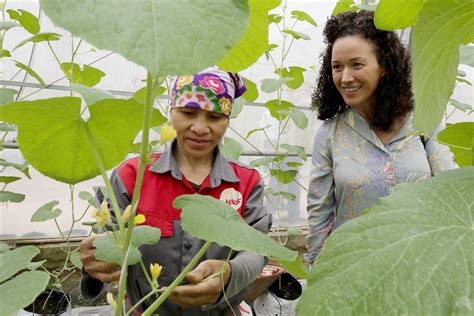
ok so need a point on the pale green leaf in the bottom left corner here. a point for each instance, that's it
(22, 291)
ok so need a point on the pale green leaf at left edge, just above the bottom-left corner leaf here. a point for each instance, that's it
(13, 261)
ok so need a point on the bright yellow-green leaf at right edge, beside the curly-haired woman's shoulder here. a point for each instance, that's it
(460, 137)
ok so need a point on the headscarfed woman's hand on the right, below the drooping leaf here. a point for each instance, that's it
(207, 282)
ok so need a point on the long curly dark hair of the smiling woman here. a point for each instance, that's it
(393, 95)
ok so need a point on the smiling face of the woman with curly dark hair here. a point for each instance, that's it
(355, 71)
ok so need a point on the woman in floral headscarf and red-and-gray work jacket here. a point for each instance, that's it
(201, 106)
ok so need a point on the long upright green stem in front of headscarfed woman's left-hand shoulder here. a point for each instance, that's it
(150, 92)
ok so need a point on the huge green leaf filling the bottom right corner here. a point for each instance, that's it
(411, 255)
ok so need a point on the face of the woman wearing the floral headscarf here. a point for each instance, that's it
(198, 132)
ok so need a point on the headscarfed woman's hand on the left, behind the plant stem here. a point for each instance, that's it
(103, 271)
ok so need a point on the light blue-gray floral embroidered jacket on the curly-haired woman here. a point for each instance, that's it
(352, 168)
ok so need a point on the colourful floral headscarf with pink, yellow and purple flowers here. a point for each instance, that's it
(212, 90)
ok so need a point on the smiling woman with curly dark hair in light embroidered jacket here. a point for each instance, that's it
(366, 145)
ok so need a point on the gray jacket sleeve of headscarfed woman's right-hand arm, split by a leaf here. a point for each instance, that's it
(246, 265)
